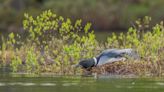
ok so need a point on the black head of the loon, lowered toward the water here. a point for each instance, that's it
(86, 63)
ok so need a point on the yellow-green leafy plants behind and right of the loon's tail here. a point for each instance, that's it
(147, 43)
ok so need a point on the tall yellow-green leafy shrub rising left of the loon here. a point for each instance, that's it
(59, 38)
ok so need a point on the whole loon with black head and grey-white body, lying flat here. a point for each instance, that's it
(108, 56)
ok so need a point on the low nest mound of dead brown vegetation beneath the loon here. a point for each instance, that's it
(139, 68)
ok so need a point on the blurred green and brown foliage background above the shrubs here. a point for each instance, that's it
(104, 14)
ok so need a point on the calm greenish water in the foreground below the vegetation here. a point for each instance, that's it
(24, 83)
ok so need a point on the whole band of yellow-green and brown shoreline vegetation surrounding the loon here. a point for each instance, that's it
(53, 44)
